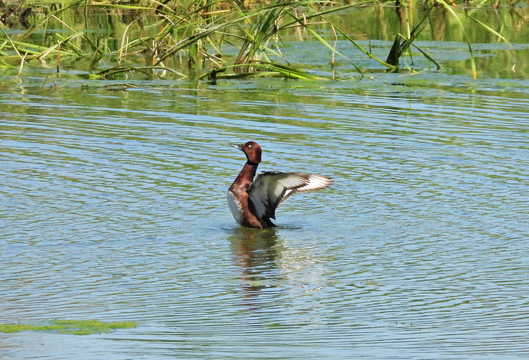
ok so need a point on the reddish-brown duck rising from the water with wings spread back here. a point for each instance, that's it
(253, 200)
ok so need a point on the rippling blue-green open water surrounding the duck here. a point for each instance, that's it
(112, 207)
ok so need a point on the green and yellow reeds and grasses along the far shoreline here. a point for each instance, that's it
(211, 39)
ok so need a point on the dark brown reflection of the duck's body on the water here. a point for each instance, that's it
(255, 253)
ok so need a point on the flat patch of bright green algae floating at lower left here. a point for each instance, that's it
(76, 327)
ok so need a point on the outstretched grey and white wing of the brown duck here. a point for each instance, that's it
(271, 189)
